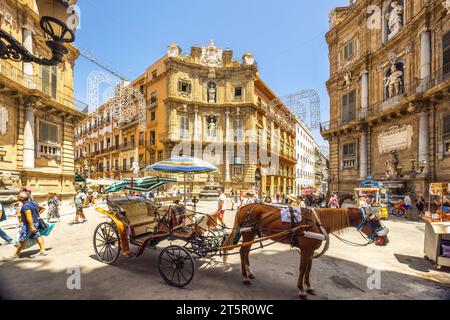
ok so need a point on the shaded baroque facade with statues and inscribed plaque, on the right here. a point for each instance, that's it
(389, 94)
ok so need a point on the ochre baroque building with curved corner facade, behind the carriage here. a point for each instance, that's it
(204, 104)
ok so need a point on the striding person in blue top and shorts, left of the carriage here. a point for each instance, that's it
(29, 218)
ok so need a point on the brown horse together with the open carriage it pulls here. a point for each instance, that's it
(192, 236)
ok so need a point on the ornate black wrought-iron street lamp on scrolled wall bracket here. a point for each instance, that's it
(57, 33)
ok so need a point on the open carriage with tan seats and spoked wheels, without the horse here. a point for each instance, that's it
(143, 223)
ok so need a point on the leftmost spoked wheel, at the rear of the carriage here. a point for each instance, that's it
(107, 243)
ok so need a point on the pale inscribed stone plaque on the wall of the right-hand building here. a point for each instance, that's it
(396, 138)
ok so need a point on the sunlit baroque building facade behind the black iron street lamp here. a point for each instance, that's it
(37, 111)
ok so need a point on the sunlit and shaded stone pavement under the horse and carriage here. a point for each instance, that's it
(341, 274)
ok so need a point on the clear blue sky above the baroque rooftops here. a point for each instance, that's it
(287, 37)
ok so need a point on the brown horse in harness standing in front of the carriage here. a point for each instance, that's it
(265, 221)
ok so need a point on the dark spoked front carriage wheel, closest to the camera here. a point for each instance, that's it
(176, 266)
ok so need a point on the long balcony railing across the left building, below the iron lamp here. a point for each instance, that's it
(13, 73)
